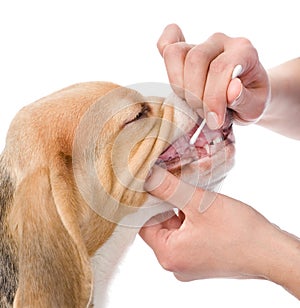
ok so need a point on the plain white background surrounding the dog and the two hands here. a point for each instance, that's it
(47, 45)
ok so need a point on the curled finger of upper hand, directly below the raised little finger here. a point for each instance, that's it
(174, 57)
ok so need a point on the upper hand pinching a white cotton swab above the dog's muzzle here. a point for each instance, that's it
(201, 74)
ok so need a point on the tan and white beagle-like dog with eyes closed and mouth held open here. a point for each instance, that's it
(71, 182)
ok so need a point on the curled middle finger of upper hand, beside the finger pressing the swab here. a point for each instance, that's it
(196, 66)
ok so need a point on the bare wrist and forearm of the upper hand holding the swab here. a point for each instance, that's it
(283, 112)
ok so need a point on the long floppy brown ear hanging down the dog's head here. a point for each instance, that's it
(54, 269)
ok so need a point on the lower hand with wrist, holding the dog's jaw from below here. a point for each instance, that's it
(230, 239)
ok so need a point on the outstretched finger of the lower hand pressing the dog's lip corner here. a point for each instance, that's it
(167, 187)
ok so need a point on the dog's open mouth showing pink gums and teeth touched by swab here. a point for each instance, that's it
(208, 143)
